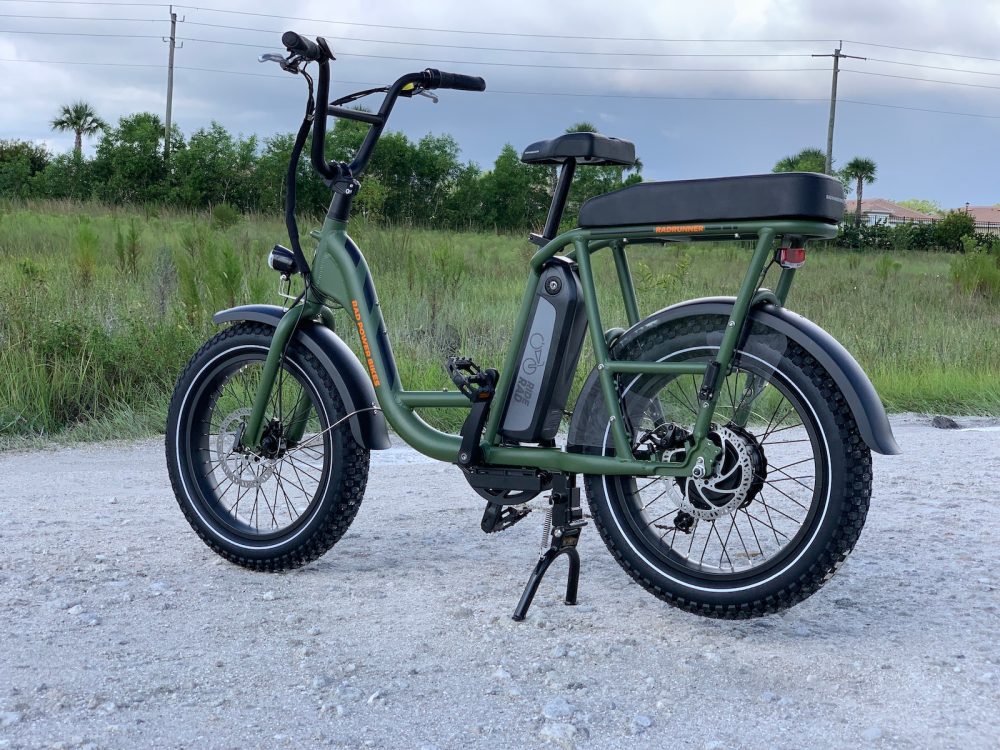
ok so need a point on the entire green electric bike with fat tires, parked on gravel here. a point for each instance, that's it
(725, 443)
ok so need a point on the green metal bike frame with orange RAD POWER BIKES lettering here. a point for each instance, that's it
(341, 274)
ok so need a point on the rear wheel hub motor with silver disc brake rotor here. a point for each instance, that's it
(739, 474)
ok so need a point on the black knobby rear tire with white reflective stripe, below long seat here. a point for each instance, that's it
(850, 490)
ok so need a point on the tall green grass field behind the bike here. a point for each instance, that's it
(100, 308)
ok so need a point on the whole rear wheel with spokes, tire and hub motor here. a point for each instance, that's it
(788, 496)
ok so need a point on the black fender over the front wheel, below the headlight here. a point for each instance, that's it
(353, 386)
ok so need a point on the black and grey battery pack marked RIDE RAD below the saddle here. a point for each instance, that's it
(548, 356)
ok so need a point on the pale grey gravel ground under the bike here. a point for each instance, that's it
(121, 629)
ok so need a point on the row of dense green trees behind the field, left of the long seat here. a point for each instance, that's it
(421, 182)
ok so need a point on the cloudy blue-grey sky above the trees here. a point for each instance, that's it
(703, 89)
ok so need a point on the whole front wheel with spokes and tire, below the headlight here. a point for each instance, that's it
(287, 502)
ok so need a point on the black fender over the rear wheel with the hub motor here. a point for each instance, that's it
(843, 368)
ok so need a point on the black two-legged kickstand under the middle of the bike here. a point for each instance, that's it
(567, 521)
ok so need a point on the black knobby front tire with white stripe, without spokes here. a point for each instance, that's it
(340, 503)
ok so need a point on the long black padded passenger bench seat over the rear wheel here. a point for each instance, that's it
(788, 195)
